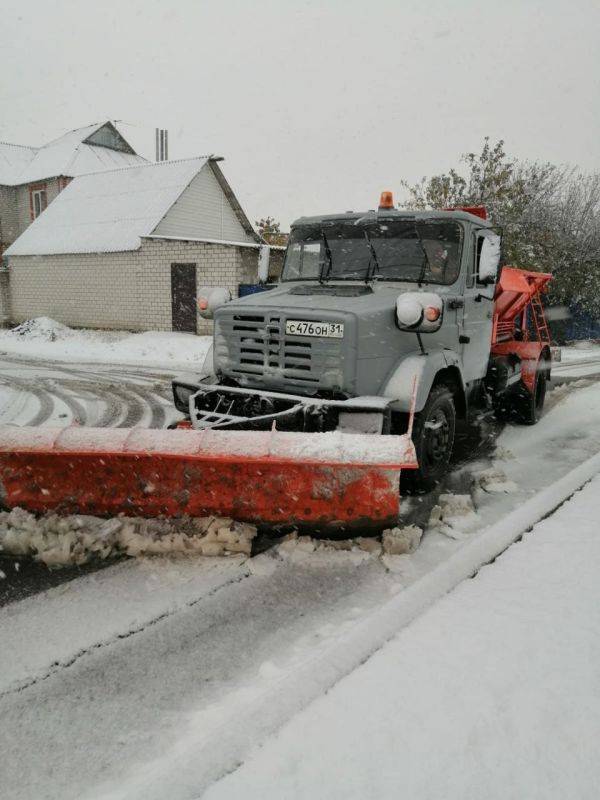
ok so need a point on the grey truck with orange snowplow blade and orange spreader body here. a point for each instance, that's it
(385, 328)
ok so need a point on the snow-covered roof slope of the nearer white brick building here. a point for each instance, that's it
(108, 211)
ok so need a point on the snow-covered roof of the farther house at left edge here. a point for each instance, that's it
(89, 149)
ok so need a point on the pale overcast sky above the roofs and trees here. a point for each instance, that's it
(316, 106)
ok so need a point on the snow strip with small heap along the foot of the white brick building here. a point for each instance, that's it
(44, 338)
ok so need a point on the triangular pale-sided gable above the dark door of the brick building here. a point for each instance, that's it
(203, 211)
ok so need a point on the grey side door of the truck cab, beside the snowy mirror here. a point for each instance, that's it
(477, 319)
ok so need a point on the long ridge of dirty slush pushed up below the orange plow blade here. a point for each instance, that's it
(58, 541)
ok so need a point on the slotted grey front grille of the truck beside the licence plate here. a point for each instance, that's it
(255, 347)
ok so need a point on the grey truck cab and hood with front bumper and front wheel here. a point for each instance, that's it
(376, 313)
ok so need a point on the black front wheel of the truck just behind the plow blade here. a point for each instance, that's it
(433, 435)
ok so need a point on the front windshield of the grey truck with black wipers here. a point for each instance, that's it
(392, 250)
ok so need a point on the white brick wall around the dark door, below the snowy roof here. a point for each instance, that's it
(130, 291)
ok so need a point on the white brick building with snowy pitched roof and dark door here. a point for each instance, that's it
(128, 248)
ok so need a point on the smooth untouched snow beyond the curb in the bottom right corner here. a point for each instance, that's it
(494, 692)
